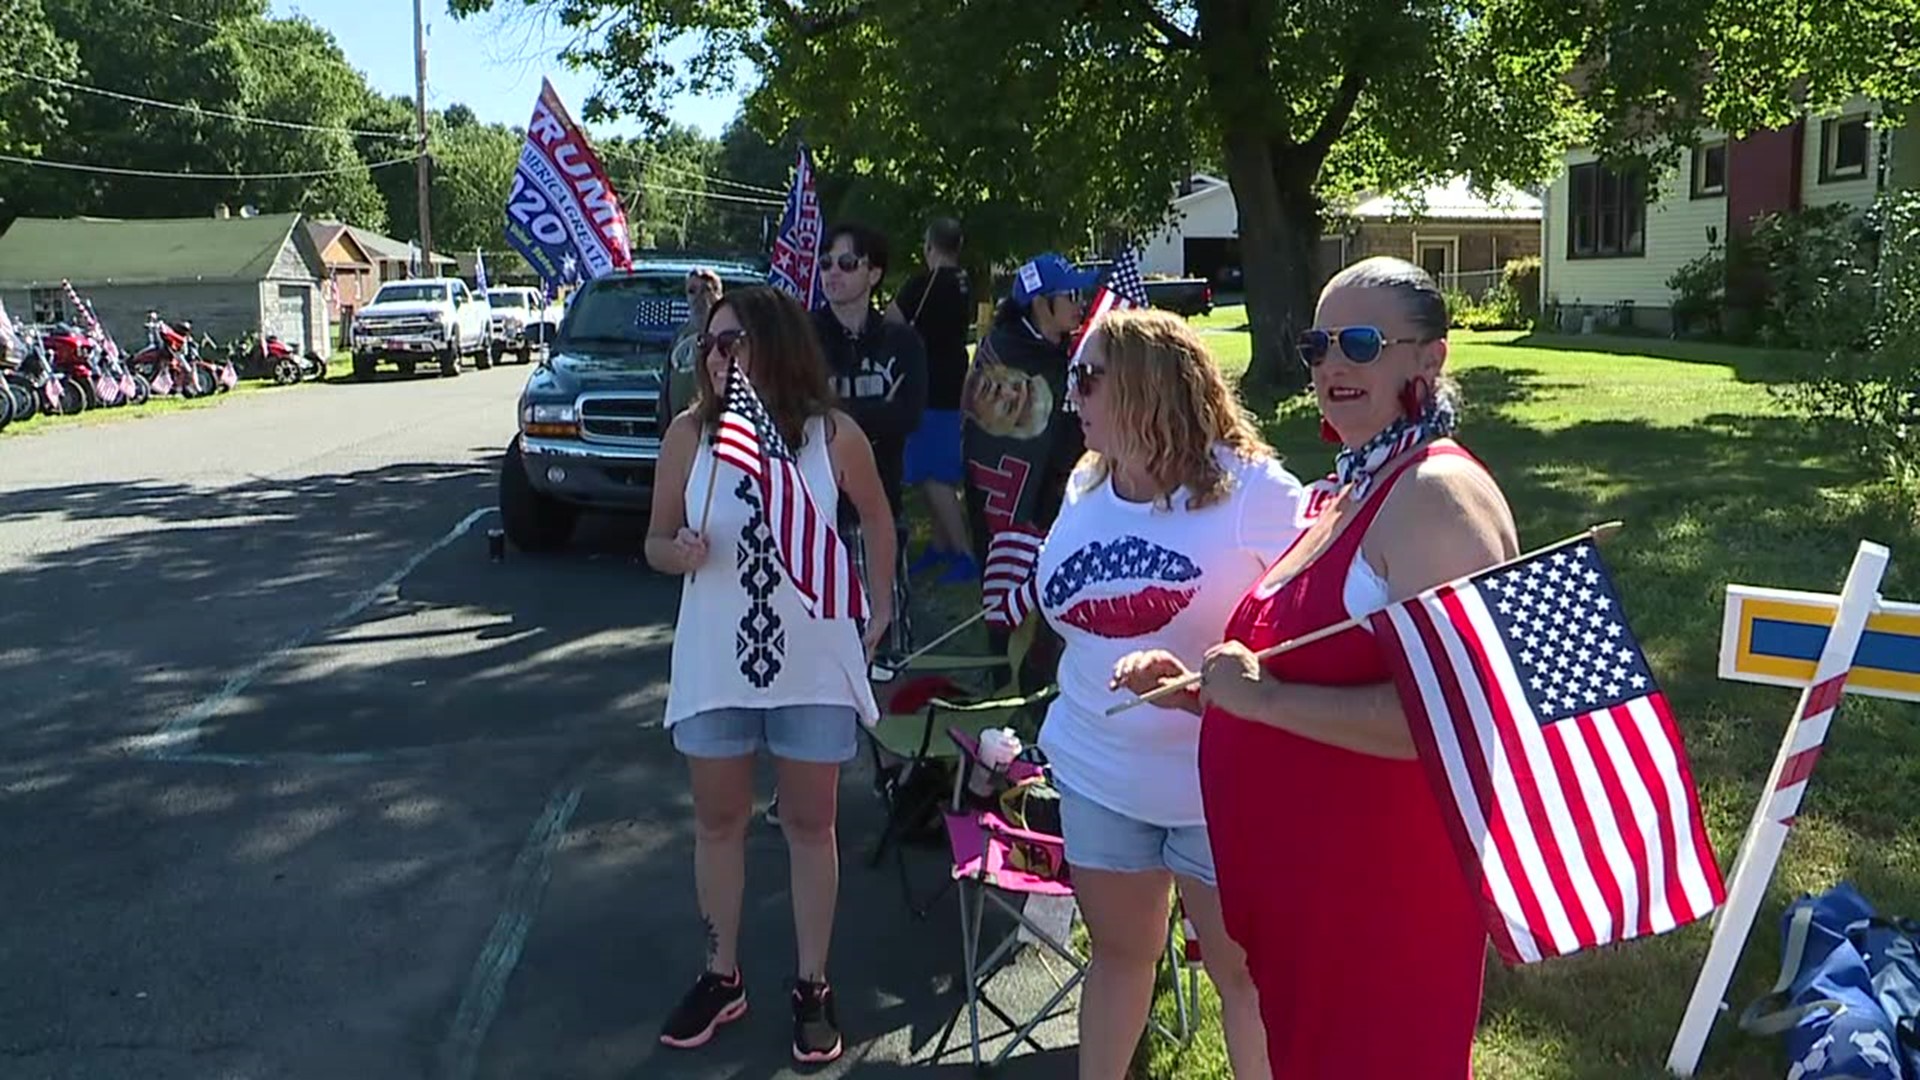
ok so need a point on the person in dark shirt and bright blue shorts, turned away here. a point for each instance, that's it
(940, 305)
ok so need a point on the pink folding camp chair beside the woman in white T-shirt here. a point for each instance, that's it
(1011, 868)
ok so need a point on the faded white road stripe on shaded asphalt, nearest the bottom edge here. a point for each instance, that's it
(460, 1058)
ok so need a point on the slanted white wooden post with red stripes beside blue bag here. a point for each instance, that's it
(1781, 802)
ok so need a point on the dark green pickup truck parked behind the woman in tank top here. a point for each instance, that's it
(594, 410)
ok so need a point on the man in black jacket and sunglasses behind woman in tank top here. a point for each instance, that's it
(880, 374)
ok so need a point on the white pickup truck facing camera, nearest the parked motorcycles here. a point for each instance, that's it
(423, 320)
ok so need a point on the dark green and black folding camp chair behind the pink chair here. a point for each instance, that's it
(913, 766)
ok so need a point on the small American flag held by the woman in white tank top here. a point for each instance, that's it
(813, 554)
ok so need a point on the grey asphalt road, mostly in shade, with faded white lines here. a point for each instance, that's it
(297, 783)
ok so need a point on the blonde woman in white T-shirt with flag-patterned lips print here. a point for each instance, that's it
(1176, 510)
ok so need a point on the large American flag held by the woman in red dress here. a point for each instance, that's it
(1554, 754)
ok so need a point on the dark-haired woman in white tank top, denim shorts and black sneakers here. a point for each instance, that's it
(754, 668)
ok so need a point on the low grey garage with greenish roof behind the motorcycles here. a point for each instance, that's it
(231, 276)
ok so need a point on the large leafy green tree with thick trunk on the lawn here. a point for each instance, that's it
(1049, 120)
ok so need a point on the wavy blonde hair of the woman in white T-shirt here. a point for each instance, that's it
(1170, 406)
